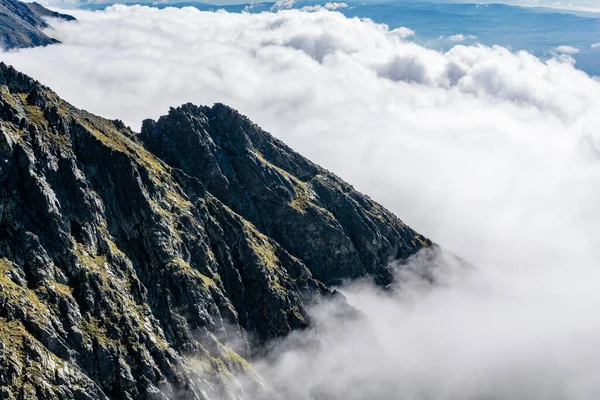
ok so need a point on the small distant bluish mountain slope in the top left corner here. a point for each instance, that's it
(21, 24)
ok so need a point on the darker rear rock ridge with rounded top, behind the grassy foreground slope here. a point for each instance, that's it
(338, 232)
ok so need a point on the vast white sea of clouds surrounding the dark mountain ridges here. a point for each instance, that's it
(492, 154)
